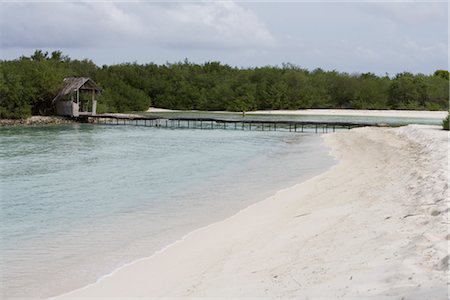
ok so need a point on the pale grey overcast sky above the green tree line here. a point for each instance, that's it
(352, 36)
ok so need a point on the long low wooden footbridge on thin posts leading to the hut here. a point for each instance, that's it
(214, 123)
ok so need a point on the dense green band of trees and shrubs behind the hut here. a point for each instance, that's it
(28, 85)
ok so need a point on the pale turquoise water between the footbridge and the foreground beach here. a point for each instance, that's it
(80, 200)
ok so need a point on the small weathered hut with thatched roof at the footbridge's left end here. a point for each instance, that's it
(68, 102)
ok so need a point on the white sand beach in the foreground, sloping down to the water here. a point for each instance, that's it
(374, 226)
